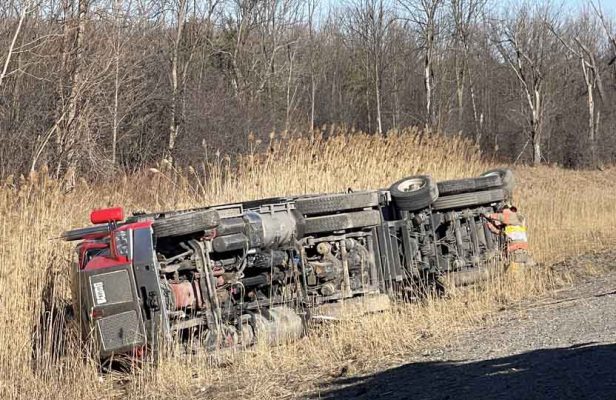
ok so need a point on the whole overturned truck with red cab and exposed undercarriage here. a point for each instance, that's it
(233, 274)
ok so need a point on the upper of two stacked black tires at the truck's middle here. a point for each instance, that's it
(336, 202)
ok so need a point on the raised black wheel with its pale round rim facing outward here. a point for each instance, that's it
(414, 193)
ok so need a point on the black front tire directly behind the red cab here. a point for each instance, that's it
(187, 223)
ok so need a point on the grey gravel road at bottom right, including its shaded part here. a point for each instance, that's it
(563, 347)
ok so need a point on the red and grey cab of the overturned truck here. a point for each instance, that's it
(113, 307)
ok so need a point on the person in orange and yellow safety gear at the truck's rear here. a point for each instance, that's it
(513, 224)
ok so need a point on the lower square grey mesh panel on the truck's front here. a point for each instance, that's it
(119, 330)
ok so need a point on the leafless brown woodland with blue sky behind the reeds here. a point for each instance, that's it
(97, 86)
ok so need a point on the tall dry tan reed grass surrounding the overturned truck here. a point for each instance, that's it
(569, 213)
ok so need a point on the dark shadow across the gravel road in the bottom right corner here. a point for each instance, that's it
(585, 371)
